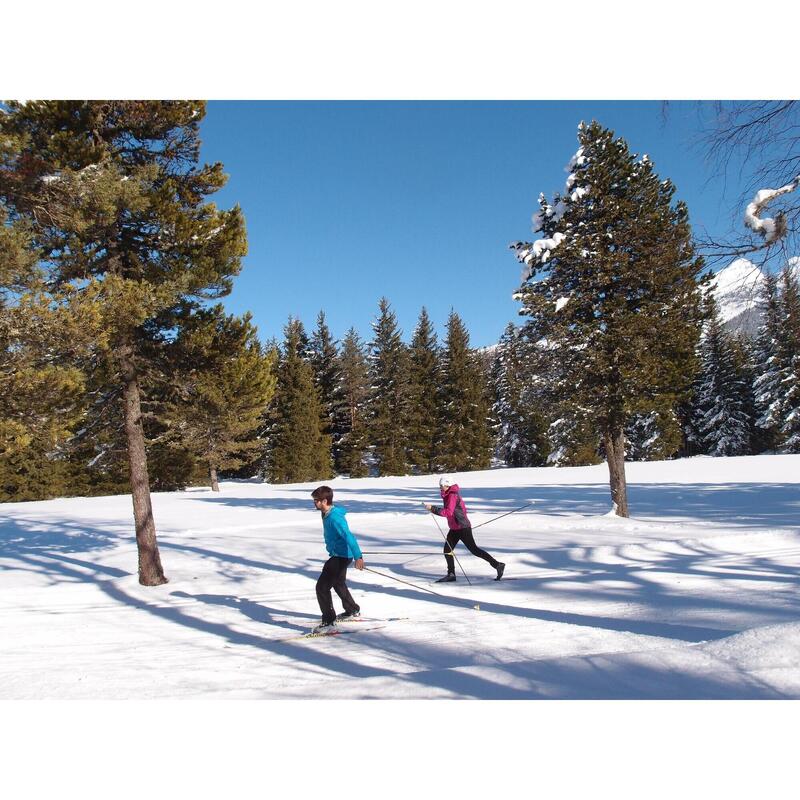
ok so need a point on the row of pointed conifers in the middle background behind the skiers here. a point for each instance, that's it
(377, 407)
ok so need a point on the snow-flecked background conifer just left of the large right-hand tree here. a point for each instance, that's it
(521, 428)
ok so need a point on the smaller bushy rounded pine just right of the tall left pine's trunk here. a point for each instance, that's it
(222, 382)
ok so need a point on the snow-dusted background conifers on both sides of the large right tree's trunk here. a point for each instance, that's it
(740, 394)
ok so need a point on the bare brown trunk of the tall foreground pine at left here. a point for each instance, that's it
(151, 572)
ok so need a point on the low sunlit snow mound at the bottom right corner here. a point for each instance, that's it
(757, 648)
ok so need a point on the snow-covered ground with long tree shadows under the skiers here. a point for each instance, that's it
(695, 596)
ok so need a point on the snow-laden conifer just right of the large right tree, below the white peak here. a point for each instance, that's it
(722, 421)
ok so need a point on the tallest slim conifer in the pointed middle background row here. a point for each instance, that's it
(388, 402)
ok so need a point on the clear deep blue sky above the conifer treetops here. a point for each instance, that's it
(346, 202)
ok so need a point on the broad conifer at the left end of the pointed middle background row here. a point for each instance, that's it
(298, 449)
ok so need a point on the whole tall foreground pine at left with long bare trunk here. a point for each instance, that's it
(117, 202)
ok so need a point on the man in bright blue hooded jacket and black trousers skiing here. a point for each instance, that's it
(342, 548)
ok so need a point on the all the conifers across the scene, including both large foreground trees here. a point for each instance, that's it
(122, 372)
